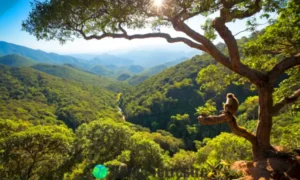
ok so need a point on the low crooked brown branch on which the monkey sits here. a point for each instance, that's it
(231, 121)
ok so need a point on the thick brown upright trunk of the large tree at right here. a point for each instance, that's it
(264, 126)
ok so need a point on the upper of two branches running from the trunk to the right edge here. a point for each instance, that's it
(281, 67)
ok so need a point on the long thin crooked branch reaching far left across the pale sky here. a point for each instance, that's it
(143, 36)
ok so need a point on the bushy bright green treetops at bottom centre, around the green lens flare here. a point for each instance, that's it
(115, 144)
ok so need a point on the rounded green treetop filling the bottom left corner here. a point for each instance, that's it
(31, 152)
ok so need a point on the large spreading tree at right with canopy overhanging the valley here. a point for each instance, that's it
(97, 19)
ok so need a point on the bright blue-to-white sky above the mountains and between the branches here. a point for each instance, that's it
(12, 12)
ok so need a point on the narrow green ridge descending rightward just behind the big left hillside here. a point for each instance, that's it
(70, 73)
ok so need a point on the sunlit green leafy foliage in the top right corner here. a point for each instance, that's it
(279, 38)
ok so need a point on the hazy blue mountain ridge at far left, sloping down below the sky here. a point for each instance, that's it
(38, 55)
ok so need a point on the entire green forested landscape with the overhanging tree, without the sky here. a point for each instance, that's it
(59, 121)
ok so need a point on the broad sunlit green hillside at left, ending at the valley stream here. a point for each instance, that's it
(29, 94)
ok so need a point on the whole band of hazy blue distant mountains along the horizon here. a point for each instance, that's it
(107, 65)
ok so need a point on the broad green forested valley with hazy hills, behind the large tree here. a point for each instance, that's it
(160, 104)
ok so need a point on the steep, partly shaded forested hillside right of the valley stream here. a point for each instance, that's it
(174, 91)
